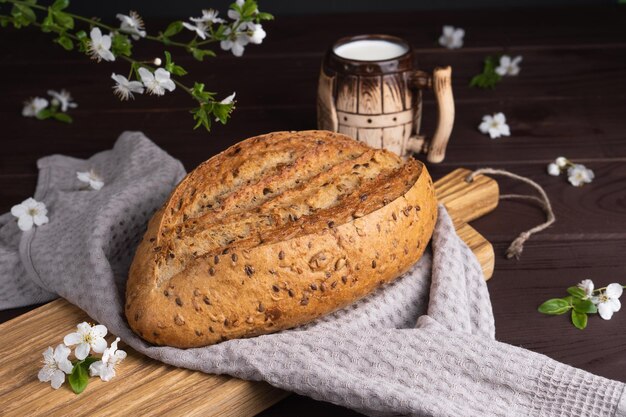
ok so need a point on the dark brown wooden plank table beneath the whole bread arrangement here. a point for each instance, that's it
(570, 99)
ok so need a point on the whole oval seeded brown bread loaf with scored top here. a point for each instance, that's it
(274, 232)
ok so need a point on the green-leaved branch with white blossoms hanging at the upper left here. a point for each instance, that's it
(245, 28)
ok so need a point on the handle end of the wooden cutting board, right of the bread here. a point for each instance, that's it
(467, 201)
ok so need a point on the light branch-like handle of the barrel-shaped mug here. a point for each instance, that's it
(441, 84)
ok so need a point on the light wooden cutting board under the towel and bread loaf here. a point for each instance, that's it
(146, 387)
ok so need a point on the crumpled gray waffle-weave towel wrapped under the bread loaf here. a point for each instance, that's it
(422, 346)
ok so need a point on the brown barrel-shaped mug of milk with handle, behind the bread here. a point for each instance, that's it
(370, 89)
